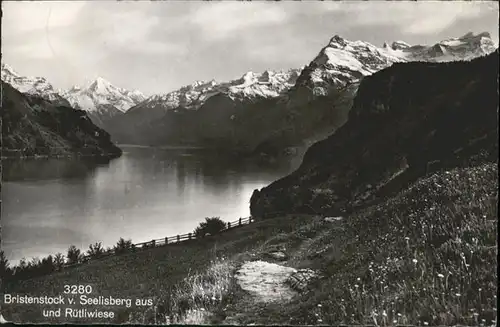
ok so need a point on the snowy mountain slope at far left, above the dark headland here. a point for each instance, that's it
(32, 85)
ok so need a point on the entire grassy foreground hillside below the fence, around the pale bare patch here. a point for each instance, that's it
(425, 256)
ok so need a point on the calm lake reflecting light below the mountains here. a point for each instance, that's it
(147, 193)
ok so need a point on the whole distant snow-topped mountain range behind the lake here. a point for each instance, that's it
(257, 113)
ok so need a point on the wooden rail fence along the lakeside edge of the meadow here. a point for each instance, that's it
(157, 243)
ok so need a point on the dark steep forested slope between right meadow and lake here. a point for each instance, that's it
(406, 120)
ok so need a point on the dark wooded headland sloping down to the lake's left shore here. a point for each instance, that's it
(32, 126)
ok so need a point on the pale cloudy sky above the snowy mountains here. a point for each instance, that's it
(157, 47)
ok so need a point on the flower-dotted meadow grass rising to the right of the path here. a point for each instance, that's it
(428, 256)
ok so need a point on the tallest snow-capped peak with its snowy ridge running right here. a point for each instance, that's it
(344, 62)
